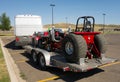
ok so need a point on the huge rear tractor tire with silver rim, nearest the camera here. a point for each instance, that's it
(74, 47)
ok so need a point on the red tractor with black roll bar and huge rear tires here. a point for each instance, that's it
(83, 42)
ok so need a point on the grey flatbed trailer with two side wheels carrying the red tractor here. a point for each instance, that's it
(56, 59)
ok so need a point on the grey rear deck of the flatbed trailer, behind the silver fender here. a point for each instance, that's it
(85, 64)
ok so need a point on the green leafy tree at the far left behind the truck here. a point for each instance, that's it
(4, 22)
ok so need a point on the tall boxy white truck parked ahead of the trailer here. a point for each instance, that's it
(25, 26)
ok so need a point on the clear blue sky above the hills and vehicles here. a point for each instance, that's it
(70, 9)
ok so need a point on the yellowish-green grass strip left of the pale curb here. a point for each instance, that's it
(4, 76)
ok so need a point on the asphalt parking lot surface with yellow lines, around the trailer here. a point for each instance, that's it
(32, 73)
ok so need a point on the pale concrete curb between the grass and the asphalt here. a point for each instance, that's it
(13, 70)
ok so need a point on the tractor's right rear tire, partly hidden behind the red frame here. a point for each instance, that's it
(100, 43)
